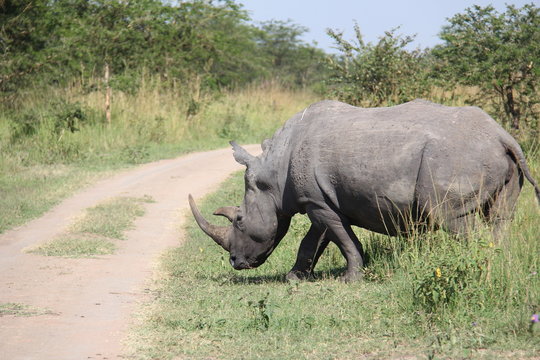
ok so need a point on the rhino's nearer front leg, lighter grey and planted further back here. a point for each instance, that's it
(340, 232)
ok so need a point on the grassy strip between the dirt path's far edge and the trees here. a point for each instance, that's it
(54, 141)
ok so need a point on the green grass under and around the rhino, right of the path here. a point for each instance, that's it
(487, 293)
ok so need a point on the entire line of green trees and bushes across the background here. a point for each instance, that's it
(211, 45)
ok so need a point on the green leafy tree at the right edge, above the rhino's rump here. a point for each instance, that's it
(499, 53)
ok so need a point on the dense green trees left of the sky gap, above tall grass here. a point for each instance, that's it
(209, 42)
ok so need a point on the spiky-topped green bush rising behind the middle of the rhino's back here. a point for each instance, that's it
(379, 74)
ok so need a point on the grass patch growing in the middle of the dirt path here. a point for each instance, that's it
(93, 234)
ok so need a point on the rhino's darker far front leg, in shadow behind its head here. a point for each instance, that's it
(311, 248)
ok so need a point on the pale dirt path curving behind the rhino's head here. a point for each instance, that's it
(88, 302)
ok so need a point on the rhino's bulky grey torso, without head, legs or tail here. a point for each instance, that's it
(361, 160)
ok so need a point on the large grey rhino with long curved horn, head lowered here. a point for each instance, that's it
(417, 166)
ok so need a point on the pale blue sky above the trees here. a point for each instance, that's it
(422, 17)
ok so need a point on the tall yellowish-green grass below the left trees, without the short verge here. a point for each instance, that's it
(69, 123)
